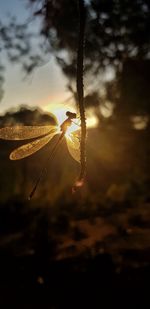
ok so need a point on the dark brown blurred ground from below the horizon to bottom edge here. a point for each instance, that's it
(89, 252)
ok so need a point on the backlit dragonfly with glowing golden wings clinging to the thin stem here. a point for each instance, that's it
(41, 136)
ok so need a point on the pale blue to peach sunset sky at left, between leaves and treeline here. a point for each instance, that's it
(46, 85)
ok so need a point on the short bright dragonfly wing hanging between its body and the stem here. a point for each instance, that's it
(73, 143)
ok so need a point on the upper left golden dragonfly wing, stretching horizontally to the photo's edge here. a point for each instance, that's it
(25, 132)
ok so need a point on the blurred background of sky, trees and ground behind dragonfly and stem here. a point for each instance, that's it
(104, 230)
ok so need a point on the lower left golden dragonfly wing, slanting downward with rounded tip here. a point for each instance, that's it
(30, 148)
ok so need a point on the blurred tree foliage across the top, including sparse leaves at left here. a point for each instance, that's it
(116, 30)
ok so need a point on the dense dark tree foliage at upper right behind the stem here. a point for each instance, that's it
(115, 30)
